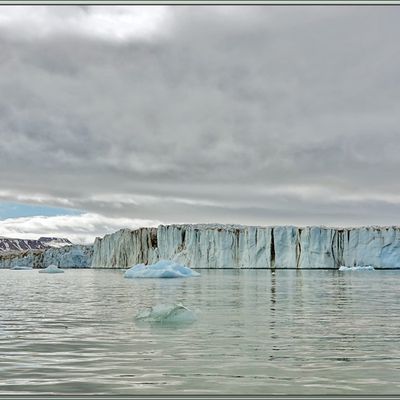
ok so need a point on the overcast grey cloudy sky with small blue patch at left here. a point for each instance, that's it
(129, 116)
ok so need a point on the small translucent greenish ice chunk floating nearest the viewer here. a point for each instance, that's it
(167, 314)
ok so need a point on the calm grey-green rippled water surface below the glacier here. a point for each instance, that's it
(295, 332)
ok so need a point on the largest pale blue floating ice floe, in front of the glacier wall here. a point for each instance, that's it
(161, 269)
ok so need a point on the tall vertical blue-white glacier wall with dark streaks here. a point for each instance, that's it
(236, 246)
